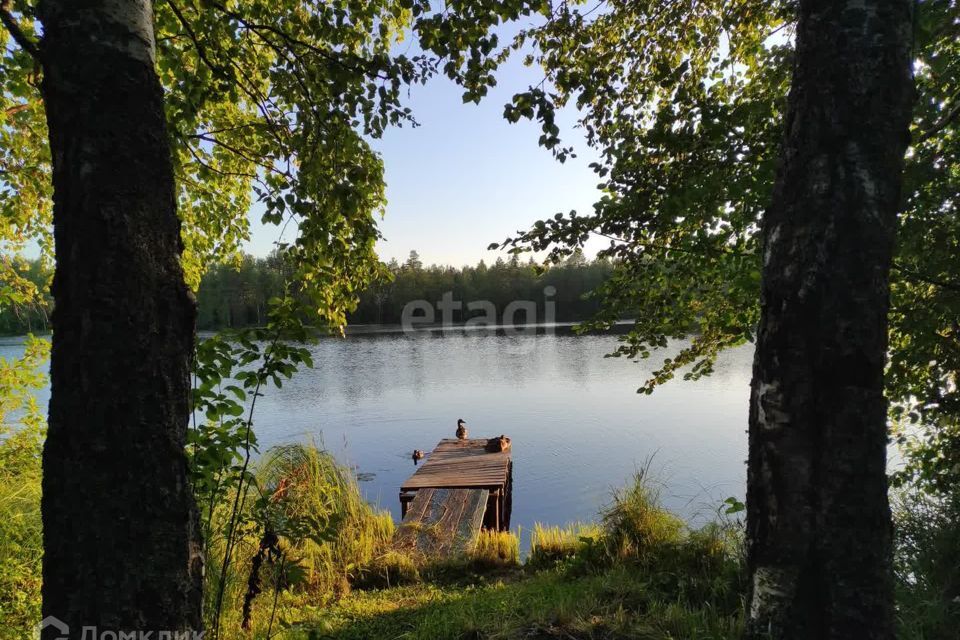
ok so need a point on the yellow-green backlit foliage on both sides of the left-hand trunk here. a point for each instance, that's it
(268, 101)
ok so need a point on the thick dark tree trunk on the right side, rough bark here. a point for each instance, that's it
(818, 520)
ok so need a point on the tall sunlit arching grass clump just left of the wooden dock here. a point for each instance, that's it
(325, 533)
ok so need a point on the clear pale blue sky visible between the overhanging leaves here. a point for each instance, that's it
(466, 177)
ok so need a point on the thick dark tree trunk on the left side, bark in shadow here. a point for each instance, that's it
(120, 531)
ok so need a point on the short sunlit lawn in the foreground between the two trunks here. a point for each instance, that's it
(617, 603)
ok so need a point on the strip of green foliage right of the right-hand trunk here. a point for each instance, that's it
(922, 377)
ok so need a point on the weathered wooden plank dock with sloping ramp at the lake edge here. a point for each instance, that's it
(459, 489)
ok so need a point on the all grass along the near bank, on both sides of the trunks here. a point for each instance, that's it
(640, 572)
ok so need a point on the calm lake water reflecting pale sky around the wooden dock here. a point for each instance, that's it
(579, 428)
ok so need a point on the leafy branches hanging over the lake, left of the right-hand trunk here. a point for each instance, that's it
(683, 104)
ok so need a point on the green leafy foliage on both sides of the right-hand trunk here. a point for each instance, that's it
(684, 103)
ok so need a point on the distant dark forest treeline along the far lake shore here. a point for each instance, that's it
(234, 296)
